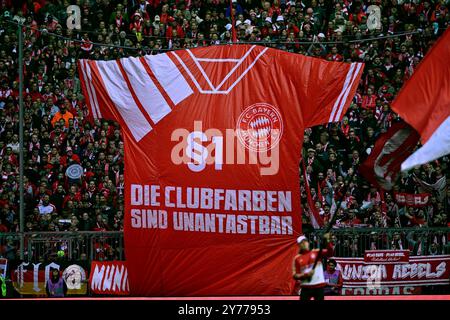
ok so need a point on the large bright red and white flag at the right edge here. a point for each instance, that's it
(424, 103)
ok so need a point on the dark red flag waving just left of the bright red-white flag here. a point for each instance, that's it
(390, 150)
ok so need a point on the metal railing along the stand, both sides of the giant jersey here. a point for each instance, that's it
(349, 242)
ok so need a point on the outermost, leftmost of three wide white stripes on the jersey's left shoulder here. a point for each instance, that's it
(117, 89)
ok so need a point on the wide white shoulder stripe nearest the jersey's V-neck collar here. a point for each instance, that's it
(169, 77)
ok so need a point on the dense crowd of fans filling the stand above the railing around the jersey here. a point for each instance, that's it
(390, 36)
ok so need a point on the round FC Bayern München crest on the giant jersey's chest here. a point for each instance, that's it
(260, 127)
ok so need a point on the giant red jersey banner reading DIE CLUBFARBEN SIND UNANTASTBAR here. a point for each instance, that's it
(213, 140)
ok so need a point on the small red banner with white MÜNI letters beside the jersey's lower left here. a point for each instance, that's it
(109, 277)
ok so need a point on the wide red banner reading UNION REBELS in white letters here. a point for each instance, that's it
(420, 271)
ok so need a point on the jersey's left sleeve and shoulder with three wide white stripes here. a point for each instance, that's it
(136, 92)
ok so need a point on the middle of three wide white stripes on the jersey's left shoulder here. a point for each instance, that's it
(146, 91)
